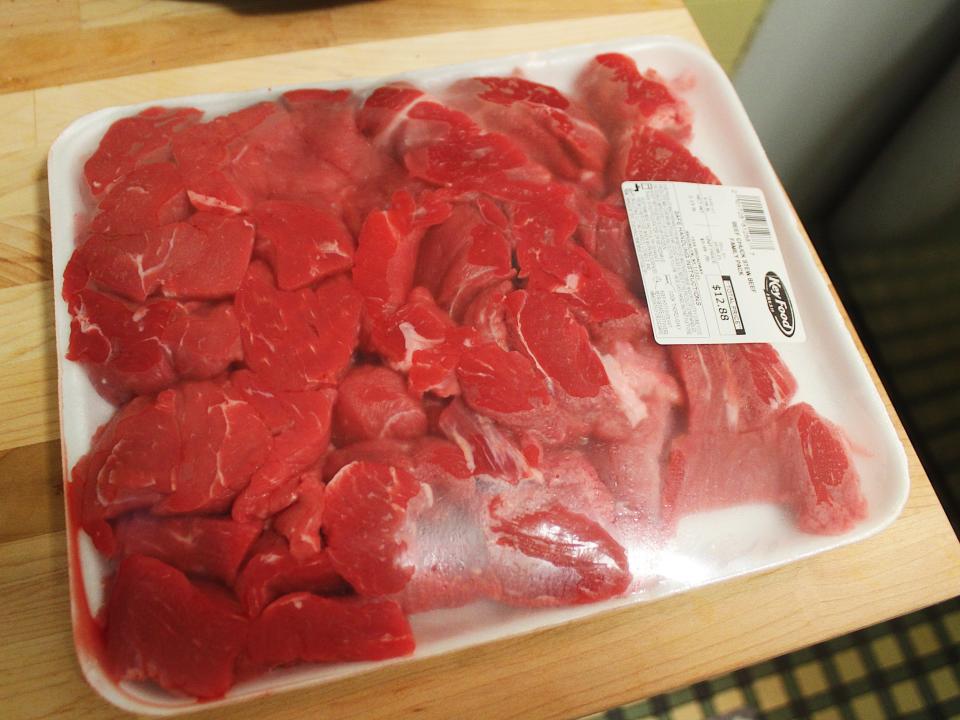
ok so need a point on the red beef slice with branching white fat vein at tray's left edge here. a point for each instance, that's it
(204, 258)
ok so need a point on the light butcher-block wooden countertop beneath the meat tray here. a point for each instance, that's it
(59, 60)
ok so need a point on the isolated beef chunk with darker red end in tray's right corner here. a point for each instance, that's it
(798, 460)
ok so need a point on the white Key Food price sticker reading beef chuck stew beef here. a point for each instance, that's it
(712, 268)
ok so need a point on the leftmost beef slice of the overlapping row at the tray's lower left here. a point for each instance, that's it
(132, 464)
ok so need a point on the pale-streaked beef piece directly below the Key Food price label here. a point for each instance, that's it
(732, 387)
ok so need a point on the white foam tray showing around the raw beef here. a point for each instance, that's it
(708, 547)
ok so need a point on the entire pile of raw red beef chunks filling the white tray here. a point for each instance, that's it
(374, 355)
